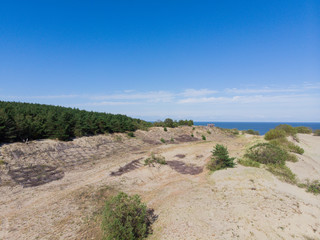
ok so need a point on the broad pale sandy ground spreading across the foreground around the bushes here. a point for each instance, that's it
(239, 203)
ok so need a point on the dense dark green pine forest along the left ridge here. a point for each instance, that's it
(20, 121)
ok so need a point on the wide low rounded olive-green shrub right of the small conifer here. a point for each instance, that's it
(267, 153)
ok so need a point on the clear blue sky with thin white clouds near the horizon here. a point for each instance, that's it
(203, 60)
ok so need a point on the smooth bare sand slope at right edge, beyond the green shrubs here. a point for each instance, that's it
(308, 166)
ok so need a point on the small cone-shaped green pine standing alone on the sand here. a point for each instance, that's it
(220, 158)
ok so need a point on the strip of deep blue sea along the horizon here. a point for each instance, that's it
(262, 127)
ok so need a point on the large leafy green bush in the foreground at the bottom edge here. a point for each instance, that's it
(125, 218)
